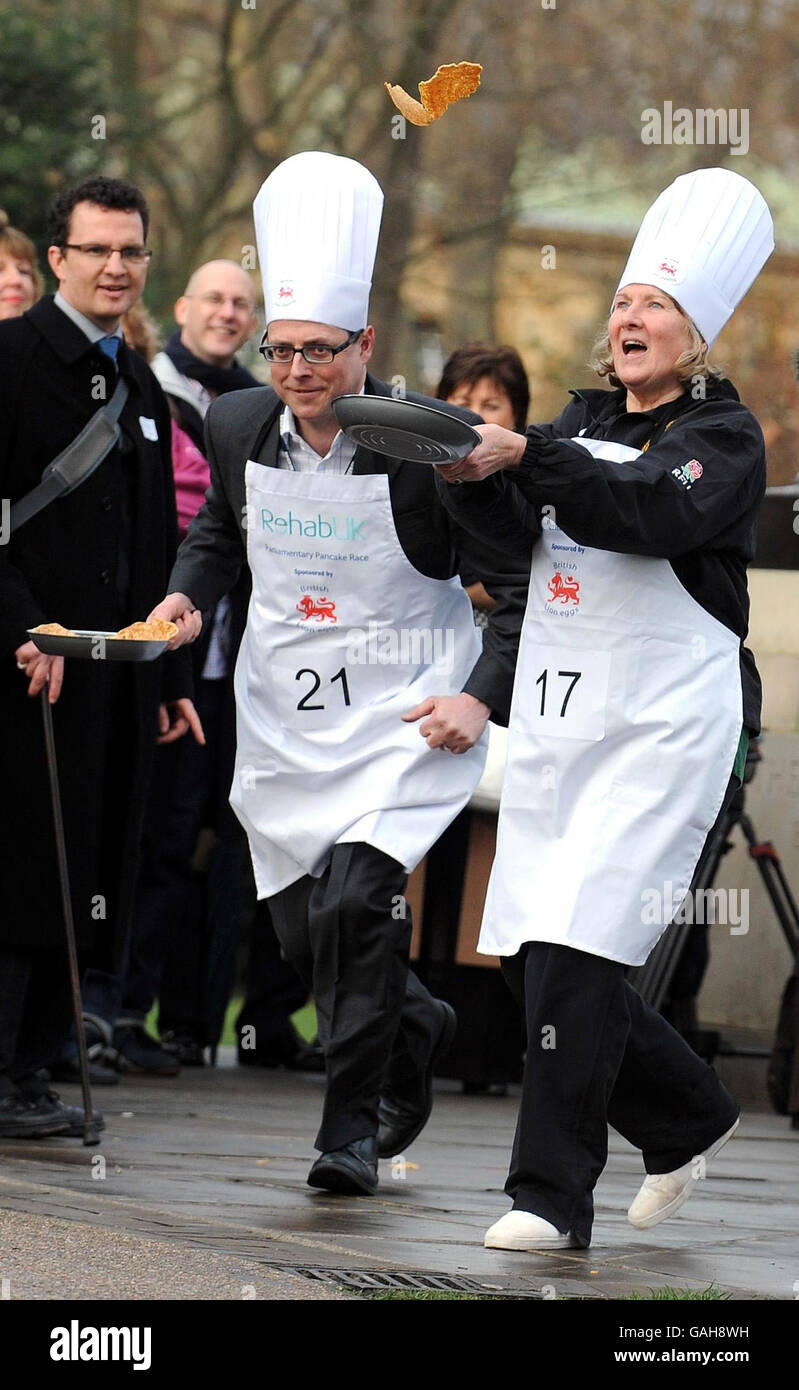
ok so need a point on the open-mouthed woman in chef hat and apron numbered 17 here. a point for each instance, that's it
(633, 703)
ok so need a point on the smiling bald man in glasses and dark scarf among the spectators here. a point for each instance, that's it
(177, 917)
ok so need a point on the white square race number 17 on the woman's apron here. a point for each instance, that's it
(566, 693)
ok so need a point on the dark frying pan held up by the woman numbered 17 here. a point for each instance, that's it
(405, 430)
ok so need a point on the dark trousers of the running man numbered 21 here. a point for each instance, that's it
(348, 935)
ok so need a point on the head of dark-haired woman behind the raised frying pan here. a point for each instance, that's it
(491, 382)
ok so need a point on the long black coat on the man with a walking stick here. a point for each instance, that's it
(98, 558)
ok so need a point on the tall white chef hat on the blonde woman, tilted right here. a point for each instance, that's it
(705, 241)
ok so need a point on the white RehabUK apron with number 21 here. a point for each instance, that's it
(343, 637)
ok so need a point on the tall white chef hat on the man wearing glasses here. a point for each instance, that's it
(318, 224)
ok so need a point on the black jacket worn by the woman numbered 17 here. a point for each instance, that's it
(693, 496)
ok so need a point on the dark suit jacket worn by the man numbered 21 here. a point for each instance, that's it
(247, 426)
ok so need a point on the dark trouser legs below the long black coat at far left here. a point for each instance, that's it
(35, 1014)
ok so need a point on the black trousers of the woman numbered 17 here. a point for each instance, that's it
(597, 1056)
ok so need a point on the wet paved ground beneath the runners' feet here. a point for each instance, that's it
(198, 1192)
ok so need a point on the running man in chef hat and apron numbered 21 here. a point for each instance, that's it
(340, 797)
